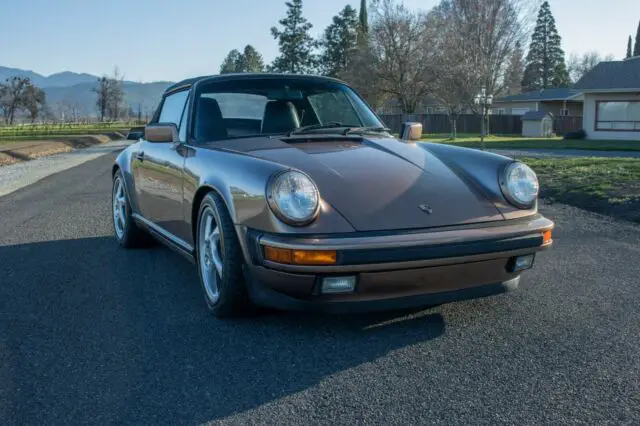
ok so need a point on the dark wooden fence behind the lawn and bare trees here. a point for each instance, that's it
(470, 123)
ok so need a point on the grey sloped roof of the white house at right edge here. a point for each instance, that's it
(611, 76)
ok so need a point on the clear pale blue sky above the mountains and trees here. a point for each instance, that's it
(173, 39)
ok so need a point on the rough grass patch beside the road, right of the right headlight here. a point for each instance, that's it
(604, 185)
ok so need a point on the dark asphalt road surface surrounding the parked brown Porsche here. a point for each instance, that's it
(91, 333)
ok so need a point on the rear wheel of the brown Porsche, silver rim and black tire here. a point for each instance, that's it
(127, 233)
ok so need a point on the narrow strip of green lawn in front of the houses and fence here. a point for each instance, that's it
(518, 142)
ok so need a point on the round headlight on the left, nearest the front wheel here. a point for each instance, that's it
(293, 197)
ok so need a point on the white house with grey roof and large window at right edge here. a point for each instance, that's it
(612, 100)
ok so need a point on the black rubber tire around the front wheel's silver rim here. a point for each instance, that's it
(233, 299)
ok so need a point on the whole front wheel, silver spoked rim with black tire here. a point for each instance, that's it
(220, 260)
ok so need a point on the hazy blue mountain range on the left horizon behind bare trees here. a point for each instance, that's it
(69, 91)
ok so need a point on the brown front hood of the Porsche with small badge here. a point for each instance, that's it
(380, 184)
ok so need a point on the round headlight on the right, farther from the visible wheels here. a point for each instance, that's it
(520, 185)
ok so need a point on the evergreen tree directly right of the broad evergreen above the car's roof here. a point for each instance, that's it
(339, 42)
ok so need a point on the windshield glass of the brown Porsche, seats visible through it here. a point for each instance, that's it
(253, 107)
